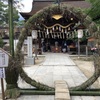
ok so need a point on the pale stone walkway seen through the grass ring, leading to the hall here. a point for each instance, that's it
(57, 66)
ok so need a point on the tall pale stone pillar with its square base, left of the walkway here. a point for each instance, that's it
(30, 59)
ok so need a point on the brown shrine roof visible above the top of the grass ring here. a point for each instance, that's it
(40, 4)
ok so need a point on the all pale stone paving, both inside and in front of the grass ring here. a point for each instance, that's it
(56, 66)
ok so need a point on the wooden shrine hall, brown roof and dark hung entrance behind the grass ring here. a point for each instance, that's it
(57, 32)
